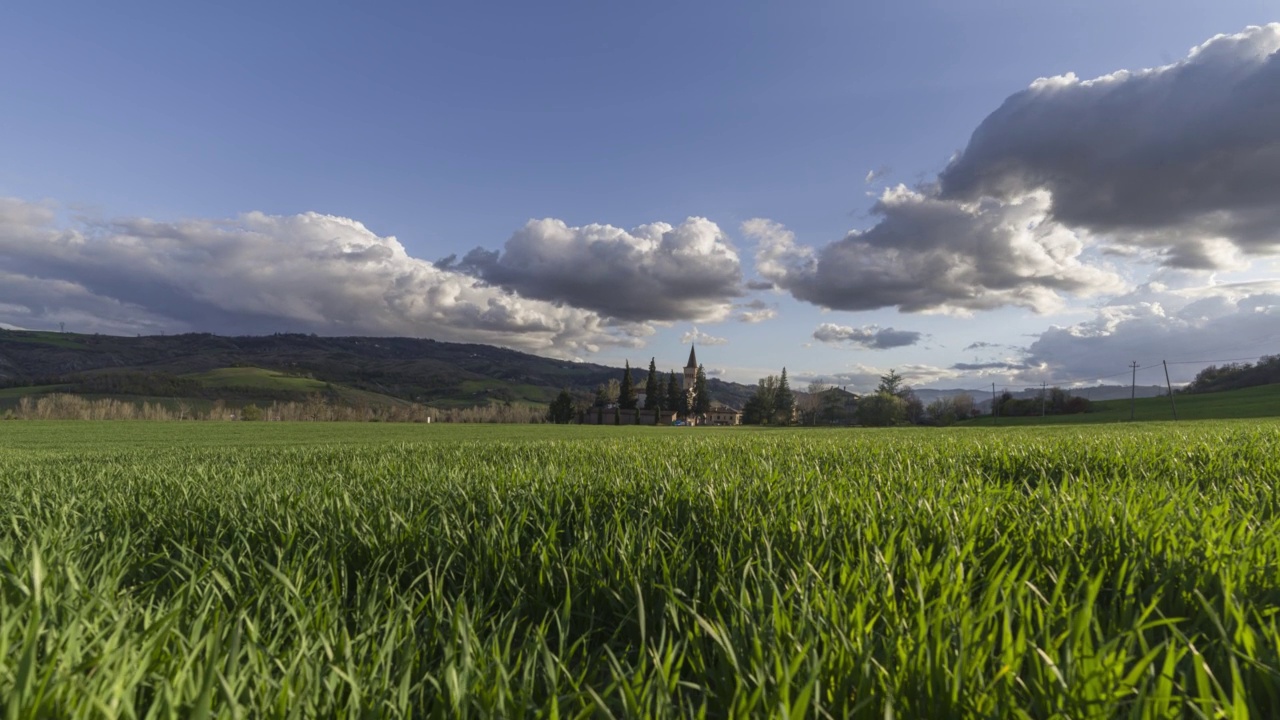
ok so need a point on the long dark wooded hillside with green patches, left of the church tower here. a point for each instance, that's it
(291, 367)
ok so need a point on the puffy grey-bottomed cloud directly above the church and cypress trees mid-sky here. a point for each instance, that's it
(656, 272)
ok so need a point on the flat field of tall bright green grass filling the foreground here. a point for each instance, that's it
(278, 571)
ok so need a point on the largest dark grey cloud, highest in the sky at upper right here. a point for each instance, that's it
(1183, 160)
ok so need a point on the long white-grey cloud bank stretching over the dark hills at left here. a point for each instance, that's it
(264, 274)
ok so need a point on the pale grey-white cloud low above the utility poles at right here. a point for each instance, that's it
(1186, 326)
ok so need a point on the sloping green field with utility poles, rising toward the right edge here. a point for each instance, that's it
(1263, 402)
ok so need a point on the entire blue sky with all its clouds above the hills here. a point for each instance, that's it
(967, 193)
